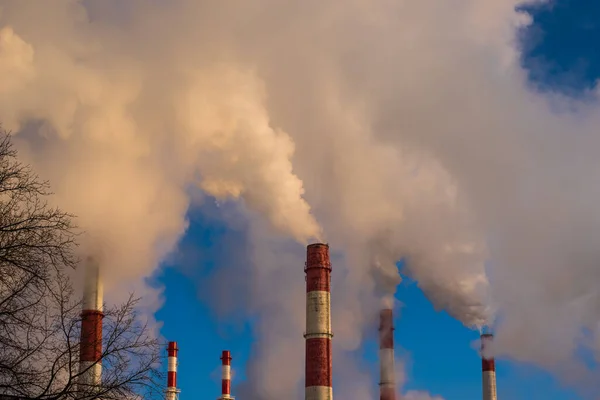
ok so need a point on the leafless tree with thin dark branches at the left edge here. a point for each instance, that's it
(40, 322)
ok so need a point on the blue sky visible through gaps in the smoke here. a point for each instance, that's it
(561, 52)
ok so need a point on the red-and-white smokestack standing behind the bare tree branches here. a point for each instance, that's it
(90, 350)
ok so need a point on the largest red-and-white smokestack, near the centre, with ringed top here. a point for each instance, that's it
(318, 323)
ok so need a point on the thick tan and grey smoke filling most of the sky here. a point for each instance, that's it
(407, 126)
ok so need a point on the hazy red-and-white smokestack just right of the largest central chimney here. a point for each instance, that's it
(387, 386)
